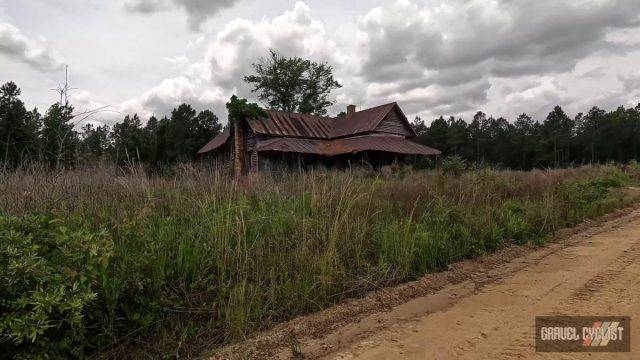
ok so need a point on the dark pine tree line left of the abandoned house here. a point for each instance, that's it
(27, 137)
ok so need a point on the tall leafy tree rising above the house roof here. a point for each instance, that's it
(293, 84)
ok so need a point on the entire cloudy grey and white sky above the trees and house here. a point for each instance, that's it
(434, 57)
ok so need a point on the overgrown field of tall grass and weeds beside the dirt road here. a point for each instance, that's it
(101, 262)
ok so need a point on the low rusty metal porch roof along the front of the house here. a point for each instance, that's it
(395, 144)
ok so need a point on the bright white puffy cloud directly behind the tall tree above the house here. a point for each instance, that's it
(210, 83)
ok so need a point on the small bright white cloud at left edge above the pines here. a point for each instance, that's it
(35, 53)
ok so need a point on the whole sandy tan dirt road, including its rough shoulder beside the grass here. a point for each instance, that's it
(478, 309)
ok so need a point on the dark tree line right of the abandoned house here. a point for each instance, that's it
(597, 136)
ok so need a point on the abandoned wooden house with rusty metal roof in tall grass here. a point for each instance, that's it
(372, 137)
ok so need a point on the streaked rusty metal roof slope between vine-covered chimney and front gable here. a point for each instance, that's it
(280, 123)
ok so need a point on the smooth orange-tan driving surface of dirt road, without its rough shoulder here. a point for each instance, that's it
(596, 273)
